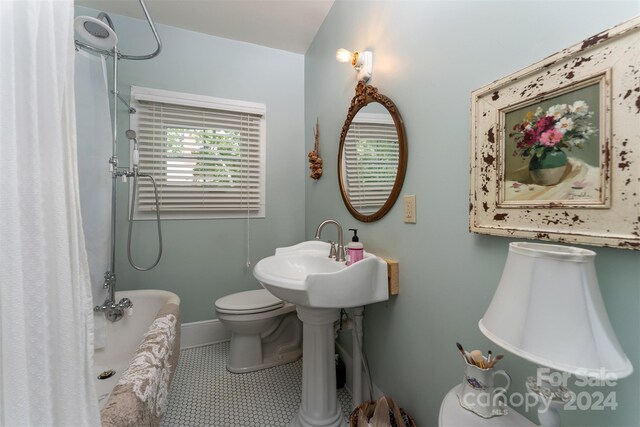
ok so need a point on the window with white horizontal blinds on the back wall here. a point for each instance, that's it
(206, 154)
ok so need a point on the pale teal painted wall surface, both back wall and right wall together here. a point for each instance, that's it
(428, 57)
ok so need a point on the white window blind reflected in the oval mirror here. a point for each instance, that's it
(371, 162)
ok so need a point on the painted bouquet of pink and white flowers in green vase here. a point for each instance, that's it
(544, 135)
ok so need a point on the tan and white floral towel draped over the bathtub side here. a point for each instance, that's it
(140, 397)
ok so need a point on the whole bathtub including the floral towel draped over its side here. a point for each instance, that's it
(143, 349)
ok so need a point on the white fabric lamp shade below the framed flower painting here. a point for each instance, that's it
(548, 309)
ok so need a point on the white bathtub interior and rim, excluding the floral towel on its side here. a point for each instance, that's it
(125, 336)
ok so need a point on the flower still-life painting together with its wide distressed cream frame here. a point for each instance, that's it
(556, 146)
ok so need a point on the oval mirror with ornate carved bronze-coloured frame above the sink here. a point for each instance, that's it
(372, 160)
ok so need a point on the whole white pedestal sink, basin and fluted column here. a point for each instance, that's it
(319, 286)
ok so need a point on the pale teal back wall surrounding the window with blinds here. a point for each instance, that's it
(205, 259)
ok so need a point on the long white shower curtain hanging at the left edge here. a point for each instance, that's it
(46, 319)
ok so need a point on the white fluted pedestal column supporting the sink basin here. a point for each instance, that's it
(319, 405)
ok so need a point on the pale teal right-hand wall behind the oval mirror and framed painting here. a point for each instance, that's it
(428, 57)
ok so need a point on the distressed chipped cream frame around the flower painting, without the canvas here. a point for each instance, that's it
(612, 219)
